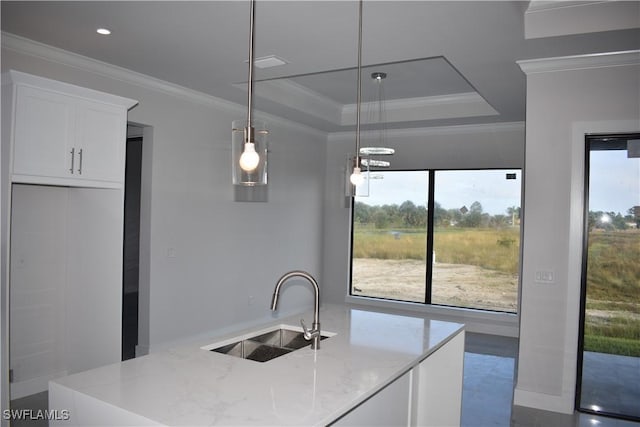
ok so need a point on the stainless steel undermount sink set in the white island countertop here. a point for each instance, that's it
(265, 346)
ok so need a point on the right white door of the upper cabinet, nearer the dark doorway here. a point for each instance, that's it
(101, 135)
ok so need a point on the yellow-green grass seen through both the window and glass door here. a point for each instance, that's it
(612, 323)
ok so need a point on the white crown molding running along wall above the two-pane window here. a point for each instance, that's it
(472, 129)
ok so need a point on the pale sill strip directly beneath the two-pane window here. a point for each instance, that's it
(480, 321)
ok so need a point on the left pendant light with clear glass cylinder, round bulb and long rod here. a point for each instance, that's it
(249, 138)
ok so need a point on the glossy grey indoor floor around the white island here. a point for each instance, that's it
(486, 398)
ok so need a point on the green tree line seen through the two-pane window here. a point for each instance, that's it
(410, 215)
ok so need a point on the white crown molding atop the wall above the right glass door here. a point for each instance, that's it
(580, 62)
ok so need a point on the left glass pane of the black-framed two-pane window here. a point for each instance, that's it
(390, 237)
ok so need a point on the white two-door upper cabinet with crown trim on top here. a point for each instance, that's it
(67, 135)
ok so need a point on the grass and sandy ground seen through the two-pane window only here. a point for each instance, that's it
(474, 267)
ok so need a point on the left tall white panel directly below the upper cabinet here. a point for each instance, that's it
(38, 274)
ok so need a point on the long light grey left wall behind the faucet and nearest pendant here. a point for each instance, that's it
(209, 263)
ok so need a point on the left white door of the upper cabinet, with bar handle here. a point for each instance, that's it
(44, 131)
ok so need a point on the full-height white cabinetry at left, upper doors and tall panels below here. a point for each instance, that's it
(64, 236)
